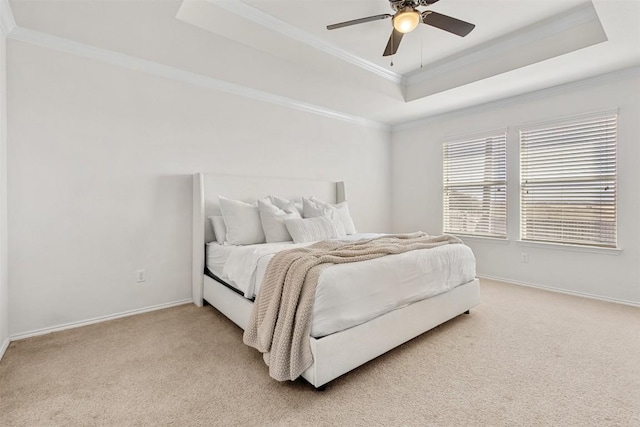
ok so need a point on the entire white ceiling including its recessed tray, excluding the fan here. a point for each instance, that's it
(281, 50)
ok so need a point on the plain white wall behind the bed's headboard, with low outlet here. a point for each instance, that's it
(99, 185)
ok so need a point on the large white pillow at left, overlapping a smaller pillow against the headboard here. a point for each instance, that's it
(242, 221)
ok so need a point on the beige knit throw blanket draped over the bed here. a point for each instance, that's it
(280, 323)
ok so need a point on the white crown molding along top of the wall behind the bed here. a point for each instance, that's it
(169, 72)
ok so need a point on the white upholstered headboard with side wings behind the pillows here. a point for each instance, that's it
(207, 188)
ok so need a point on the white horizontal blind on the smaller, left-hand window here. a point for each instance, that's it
(475, 178)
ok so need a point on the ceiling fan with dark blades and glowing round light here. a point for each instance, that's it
(407, 18)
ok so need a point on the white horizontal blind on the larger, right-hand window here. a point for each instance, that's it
(568, 182)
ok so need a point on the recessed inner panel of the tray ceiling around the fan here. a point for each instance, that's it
(426, 44)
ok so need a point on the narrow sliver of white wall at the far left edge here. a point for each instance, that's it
(4, 284)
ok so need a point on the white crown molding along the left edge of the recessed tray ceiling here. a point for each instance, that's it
(274, 24)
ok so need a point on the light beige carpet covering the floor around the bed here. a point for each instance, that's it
(523, 357)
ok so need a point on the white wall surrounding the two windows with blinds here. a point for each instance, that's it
(417, 187)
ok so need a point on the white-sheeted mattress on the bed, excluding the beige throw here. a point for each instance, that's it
(353, 293)
